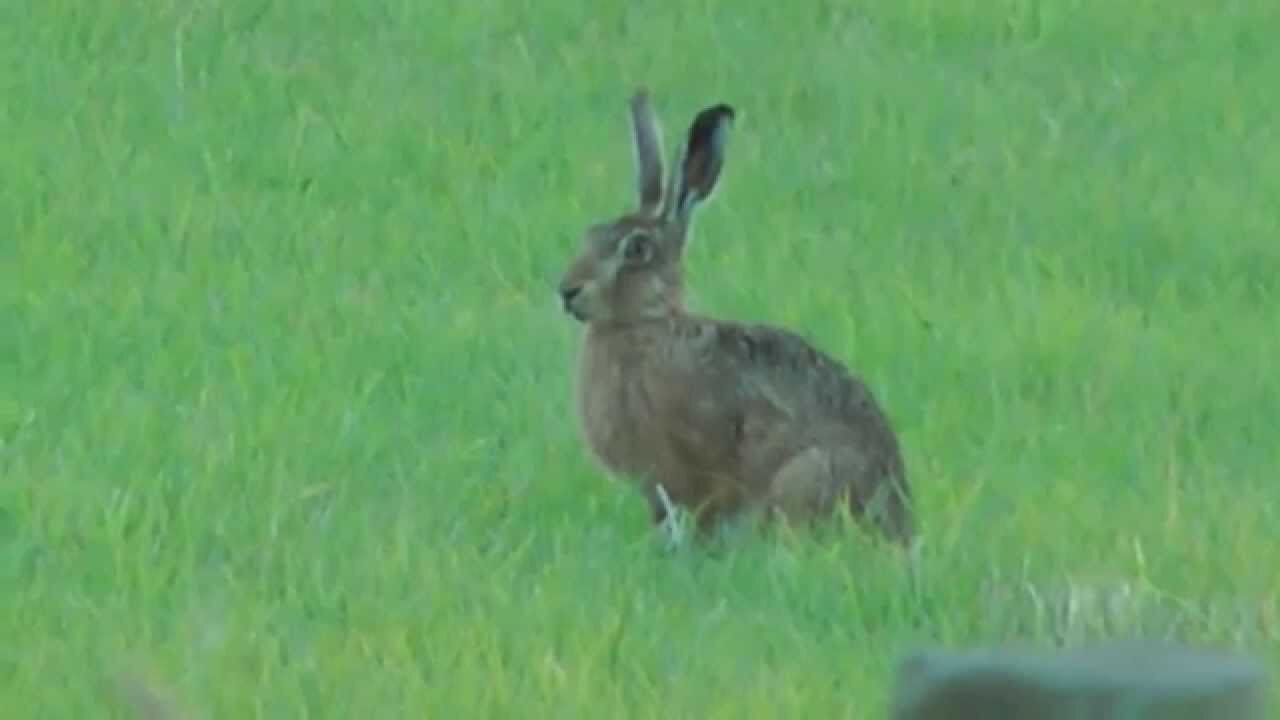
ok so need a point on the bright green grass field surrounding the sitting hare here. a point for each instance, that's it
(285, 394)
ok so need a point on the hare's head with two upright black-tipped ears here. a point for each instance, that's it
(629, 270)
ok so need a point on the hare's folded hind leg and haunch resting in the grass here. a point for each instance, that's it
(813, 482)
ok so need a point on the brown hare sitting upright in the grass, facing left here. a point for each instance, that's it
(716, 417)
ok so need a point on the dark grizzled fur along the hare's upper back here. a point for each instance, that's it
(784, 366)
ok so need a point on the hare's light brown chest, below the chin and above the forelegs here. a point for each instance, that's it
(618, 414)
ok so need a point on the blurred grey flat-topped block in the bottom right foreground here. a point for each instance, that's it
(1118, 682)
